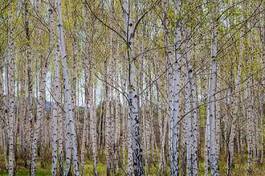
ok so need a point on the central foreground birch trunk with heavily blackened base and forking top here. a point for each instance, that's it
(135, 163)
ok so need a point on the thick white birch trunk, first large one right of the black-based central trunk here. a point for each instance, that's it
(174, 89)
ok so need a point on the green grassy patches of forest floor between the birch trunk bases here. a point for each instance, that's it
(240, 169)
